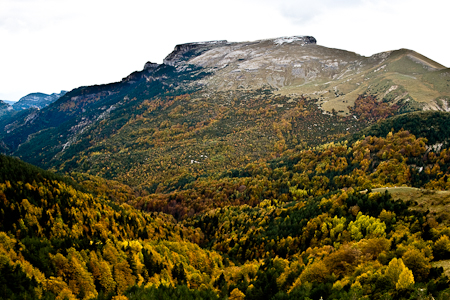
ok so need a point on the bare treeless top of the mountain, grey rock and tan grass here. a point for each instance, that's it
(296, 65)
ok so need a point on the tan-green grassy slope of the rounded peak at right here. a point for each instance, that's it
(413, 74)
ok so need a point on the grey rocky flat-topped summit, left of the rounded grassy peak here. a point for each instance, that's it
(275, 63)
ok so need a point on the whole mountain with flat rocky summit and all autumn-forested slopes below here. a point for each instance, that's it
(274, 169)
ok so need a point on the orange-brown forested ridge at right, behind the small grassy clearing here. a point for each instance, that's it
(393, 160)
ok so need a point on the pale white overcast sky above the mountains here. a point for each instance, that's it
(52, 45)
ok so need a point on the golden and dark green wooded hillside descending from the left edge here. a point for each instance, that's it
(58, 240)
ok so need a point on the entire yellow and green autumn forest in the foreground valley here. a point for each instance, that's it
(311, 223)
